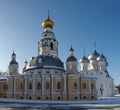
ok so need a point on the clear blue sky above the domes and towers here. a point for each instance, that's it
(79, 23)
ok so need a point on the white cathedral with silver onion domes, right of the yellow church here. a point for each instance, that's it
(96, 65)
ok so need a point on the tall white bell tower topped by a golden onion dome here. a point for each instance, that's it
(48, 43)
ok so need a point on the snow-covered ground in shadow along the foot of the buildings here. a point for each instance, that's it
(108, 102)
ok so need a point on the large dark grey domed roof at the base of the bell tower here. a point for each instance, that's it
(45, 61)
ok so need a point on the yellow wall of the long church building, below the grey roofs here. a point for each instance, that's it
(80, 93)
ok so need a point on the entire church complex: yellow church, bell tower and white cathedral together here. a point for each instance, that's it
(45, 78)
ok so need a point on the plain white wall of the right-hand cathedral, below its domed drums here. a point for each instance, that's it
(108, 83)
